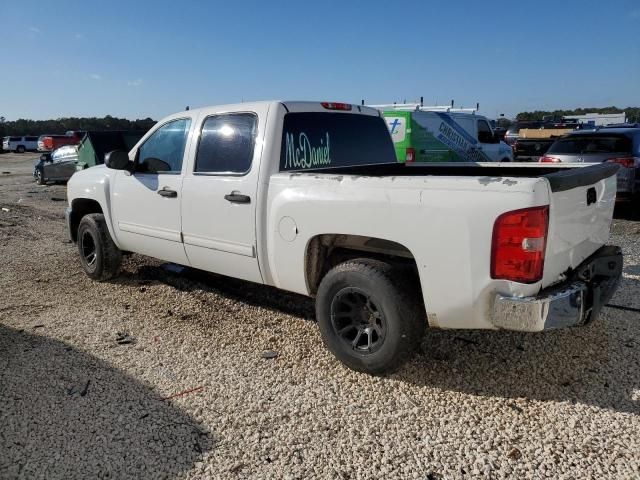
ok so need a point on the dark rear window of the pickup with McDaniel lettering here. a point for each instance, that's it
(329, 140)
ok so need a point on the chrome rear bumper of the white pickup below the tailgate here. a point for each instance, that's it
(576, 301)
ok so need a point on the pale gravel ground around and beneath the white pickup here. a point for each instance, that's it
(161, 375)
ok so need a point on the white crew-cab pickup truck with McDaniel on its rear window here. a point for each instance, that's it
(308, 197)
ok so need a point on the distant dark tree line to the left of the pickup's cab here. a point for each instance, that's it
(62, 125)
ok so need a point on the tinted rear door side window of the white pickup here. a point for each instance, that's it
(226, 144)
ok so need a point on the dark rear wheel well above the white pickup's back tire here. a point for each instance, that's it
(326, 251)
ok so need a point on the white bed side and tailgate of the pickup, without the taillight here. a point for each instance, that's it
(372, 204)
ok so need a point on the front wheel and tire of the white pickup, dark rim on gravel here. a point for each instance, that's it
(99, 256)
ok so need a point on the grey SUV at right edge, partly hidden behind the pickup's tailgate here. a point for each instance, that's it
(612, 145)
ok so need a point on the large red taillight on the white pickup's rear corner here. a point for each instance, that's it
(518, 245)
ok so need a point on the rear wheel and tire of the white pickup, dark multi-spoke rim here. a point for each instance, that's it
(368, 317)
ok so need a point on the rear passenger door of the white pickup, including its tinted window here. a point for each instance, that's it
(219, 194)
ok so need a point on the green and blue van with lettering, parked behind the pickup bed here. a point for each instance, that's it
(423, 135)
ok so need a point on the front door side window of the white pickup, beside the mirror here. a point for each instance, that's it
(163, 151)
